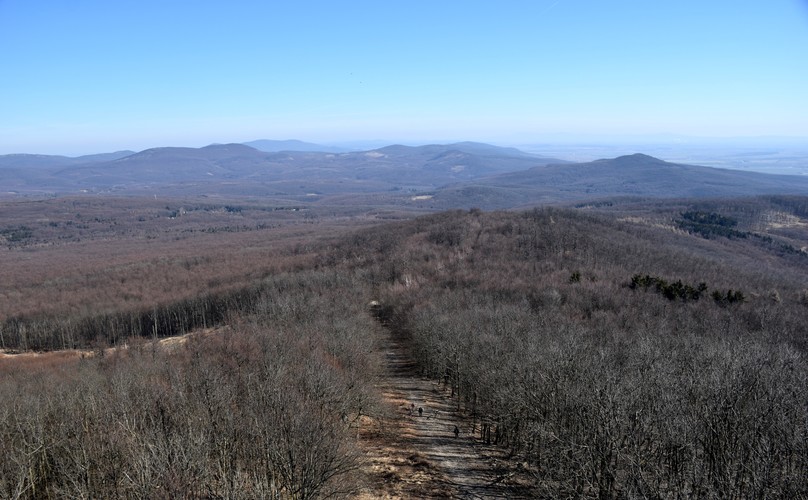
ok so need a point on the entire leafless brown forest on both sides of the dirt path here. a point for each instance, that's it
(630, 349)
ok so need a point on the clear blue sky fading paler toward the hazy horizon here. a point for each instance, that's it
(89, 76)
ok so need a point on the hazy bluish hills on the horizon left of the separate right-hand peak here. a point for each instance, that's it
(238, 169)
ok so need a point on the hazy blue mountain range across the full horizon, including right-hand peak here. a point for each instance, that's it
(435, 176)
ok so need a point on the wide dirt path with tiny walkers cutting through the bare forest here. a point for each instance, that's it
(414, 454)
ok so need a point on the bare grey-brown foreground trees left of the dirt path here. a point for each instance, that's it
(266, 407)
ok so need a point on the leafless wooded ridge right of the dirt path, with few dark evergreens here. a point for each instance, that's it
(606, 389)
